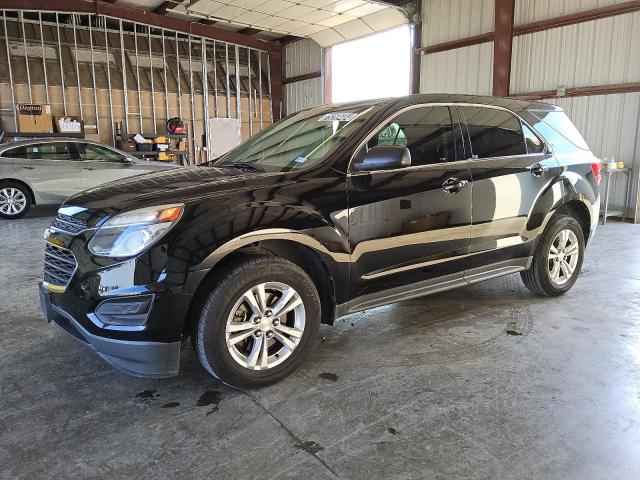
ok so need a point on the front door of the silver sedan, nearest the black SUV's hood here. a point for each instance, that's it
(101, 165)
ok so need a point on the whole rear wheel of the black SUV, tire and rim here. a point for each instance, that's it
(557, 260)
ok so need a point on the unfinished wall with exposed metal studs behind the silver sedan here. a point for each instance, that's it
(89, 87)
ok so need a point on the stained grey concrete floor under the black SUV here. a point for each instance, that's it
(483, 382)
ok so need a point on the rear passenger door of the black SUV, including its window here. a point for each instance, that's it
(511, 172)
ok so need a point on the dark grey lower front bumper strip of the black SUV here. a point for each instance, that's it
(139, 358)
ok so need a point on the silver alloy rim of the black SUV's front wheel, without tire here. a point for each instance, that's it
(265, 325)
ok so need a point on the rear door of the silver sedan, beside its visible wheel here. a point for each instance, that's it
(49, 168)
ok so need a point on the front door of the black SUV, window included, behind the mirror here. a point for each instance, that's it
(408, 231)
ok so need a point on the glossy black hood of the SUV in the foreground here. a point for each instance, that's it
(182, 185)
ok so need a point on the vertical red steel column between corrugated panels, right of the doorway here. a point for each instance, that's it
(502, 44)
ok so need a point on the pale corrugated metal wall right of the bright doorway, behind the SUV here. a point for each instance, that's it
(600, 52)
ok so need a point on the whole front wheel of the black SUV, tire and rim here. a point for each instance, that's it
(259, 323)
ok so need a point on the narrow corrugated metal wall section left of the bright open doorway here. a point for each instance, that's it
(303, 56)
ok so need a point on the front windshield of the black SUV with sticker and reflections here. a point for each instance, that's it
(299, 141)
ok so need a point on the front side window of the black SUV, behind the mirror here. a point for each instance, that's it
(427, 132)
